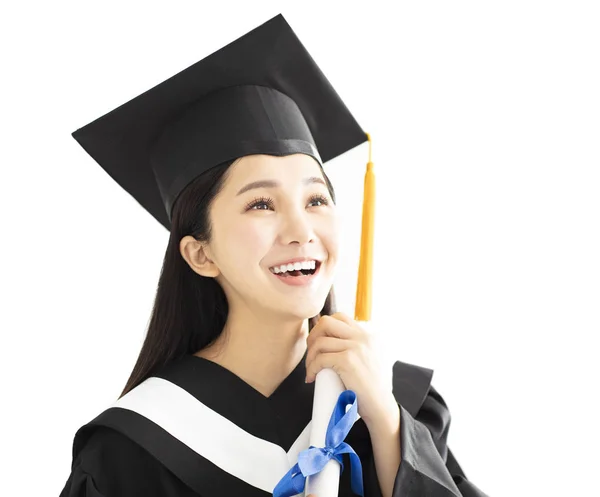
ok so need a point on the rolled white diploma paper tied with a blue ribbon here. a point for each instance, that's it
(328, 387)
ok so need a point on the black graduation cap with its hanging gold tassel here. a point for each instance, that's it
(260, 94)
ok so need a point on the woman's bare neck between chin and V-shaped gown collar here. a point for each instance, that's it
(260, 351)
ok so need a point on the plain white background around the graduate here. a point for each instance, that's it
(485, 125)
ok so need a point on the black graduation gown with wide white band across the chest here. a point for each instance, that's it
(196, 429)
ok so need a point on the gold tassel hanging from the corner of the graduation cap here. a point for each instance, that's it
(362, 309)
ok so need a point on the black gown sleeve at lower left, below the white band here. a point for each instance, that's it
(112, 465)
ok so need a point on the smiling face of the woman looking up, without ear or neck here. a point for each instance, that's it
(273, 210)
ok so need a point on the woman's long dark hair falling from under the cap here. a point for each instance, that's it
(190, 310)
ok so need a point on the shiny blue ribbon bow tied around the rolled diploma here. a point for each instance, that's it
(314, 459)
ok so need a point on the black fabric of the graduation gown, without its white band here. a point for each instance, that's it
(109, 463)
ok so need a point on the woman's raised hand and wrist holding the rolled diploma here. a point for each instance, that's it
(339, 343)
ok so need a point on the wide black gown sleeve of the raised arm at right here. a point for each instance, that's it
(427, 465)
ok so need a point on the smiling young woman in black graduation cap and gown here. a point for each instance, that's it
(220, 400)
